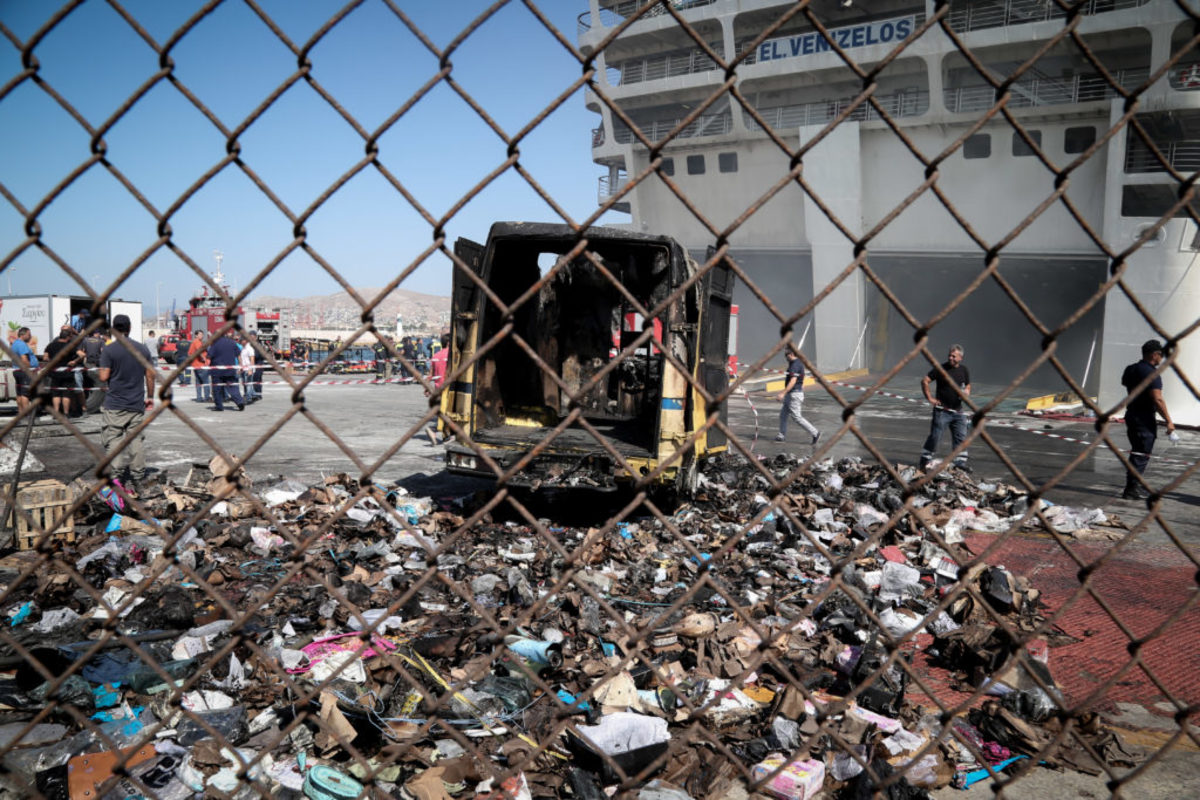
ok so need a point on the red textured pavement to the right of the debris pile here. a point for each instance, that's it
(1143, 587)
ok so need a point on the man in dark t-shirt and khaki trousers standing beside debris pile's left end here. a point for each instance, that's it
(130, 394)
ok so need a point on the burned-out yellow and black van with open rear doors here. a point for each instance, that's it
(575, 362)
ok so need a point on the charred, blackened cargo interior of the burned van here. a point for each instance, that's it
(578, 323)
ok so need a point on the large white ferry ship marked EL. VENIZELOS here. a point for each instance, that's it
(727, 163)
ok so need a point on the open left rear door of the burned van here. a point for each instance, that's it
(465, 312)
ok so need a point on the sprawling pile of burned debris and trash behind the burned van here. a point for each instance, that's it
(350, 640)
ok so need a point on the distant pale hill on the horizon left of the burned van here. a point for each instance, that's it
(421, 311)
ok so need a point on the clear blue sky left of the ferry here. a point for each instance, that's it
(371, 64)
